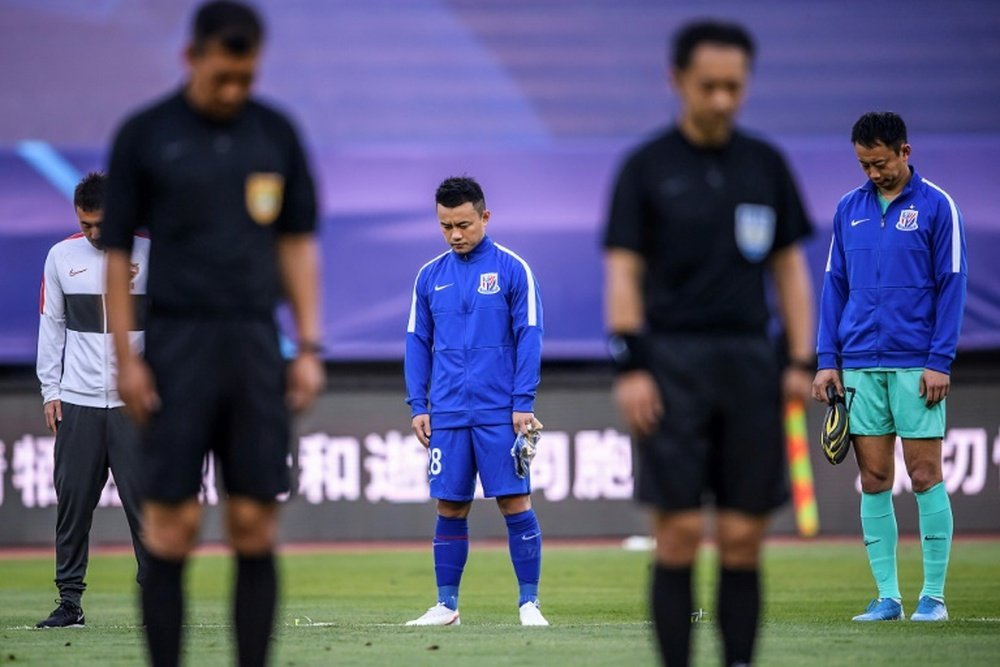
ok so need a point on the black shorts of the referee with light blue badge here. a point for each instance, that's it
(721, 435)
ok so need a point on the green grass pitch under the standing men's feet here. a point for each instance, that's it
(347, 607)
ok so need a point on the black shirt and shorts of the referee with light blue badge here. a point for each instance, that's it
(706, 221)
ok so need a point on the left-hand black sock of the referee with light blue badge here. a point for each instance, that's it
(672, 602)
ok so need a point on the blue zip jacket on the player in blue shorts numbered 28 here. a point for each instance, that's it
(474, 338)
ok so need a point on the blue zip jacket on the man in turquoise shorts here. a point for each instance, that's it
(894, 288)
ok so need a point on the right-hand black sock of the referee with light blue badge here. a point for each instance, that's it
(739, 611)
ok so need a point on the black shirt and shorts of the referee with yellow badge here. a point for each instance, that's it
(214, 196)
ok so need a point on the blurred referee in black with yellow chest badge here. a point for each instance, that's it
(221, 183)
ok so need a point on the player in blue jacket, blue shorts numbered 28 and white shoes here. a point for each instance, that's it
(473, 353)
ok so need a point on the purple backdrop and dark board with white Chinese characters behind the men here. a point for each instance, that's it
(538, 99)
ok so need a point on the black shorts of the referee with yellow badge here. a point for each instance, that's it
(222, 389)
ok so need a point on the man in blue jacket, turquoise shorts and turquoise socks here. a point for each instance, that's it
(890, 316)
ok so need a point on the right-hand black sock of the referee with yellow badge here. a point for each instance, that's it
(256, 595)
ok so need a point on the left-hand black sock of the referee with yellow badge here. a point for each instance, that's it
(163, 609)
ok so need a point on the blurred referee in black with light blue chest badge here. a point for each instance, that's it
(699, 215)
